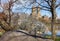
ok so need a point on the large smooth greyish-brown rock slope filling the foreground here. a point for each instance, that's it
(20, 36)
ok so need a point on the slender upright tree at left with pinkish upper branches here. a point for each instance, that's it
(7, 8)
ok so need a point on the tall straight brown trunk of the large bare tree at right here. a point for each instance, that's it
(53, 20)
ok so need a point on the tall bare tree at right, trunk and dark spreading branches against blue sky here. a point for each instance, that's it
(51, 7)
